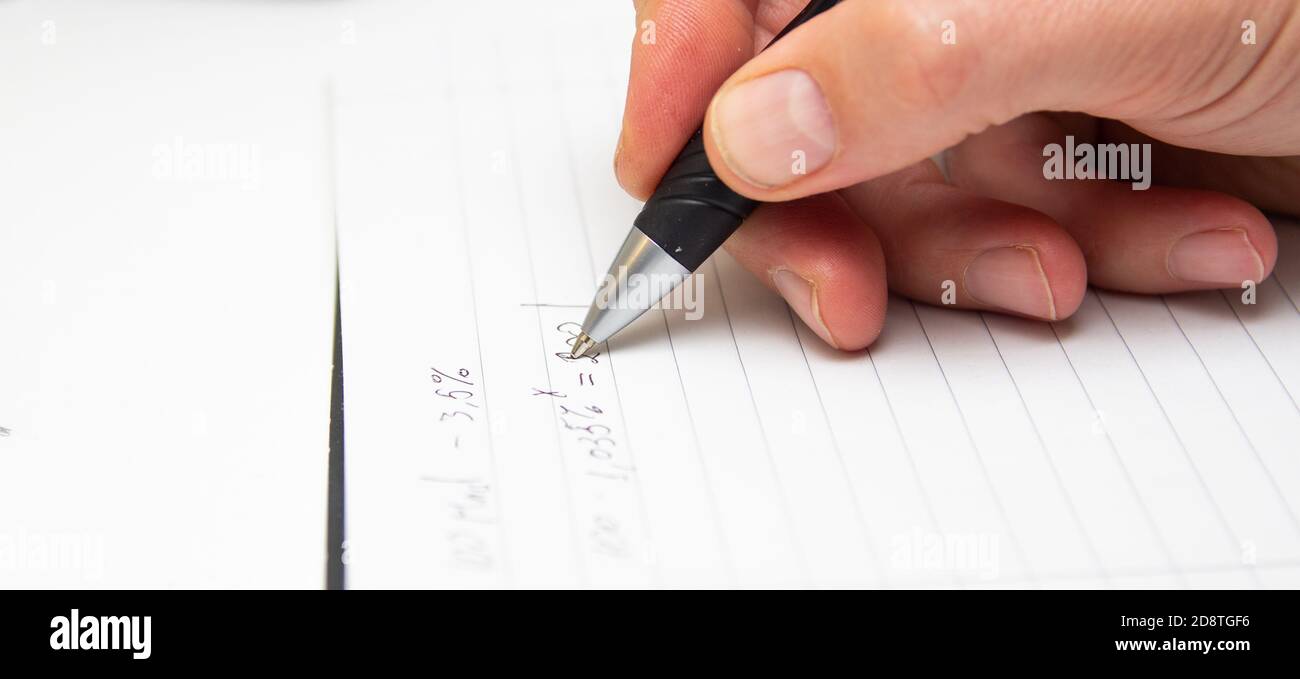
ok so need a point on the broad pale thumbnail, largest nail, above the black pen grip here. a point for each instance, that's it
(775, 128)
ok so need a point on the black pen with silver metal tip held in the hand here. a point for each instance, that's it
(688, 218)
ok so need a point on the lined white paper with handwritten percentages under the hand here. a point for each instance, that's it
(1143, 443)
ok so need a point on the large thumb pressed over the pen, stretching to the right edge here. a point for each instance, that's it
(873, 87)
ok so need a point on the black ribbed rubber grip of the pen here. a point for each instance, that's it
(692, 213)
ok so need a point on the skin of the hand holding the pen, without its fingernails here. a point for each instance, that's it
(1224, 119)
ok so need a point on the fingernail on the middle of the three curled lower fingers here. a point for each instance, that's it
(1012, 279)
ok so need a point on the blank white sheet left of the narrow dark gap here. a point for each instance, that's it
(167, 301)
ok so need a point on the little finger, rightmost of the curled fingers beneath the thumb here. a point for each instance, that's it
(1149, 240)
